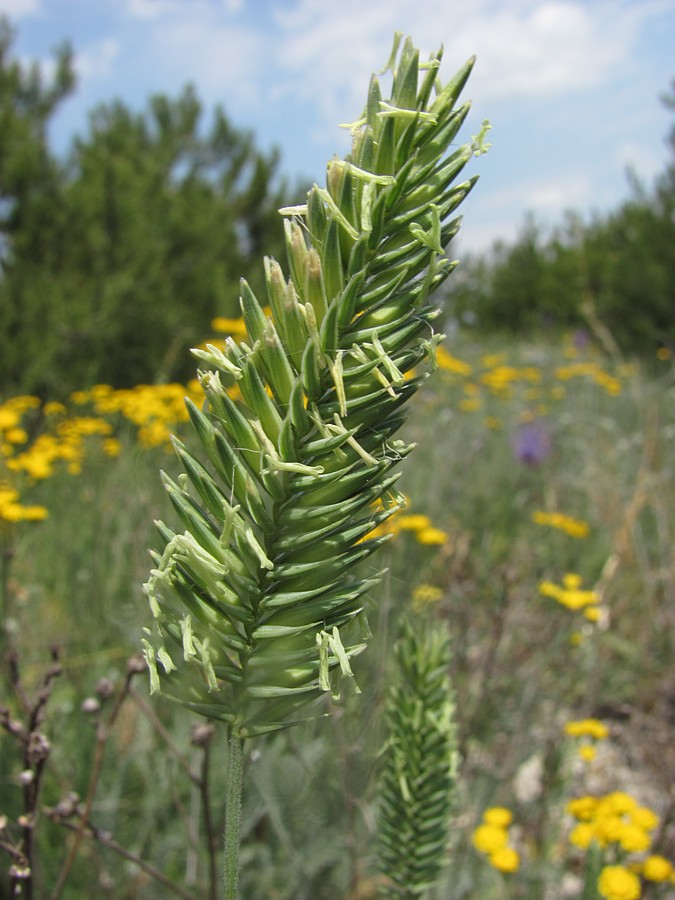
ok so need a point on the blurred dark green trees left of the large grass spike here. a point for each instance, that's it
(120, 255)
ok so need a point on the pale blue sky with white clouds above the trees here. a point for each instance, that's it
(571, 88)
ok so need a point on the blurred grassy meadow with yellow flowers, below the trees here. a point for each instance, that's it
(539, 532)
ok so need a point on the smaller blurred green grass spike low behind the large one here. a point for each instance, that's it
(419, 763)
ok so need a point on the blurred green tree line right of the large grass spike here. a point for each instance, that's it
(614, 274)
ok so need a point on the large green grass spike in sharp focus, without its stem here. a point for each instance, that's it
(258, 605)
